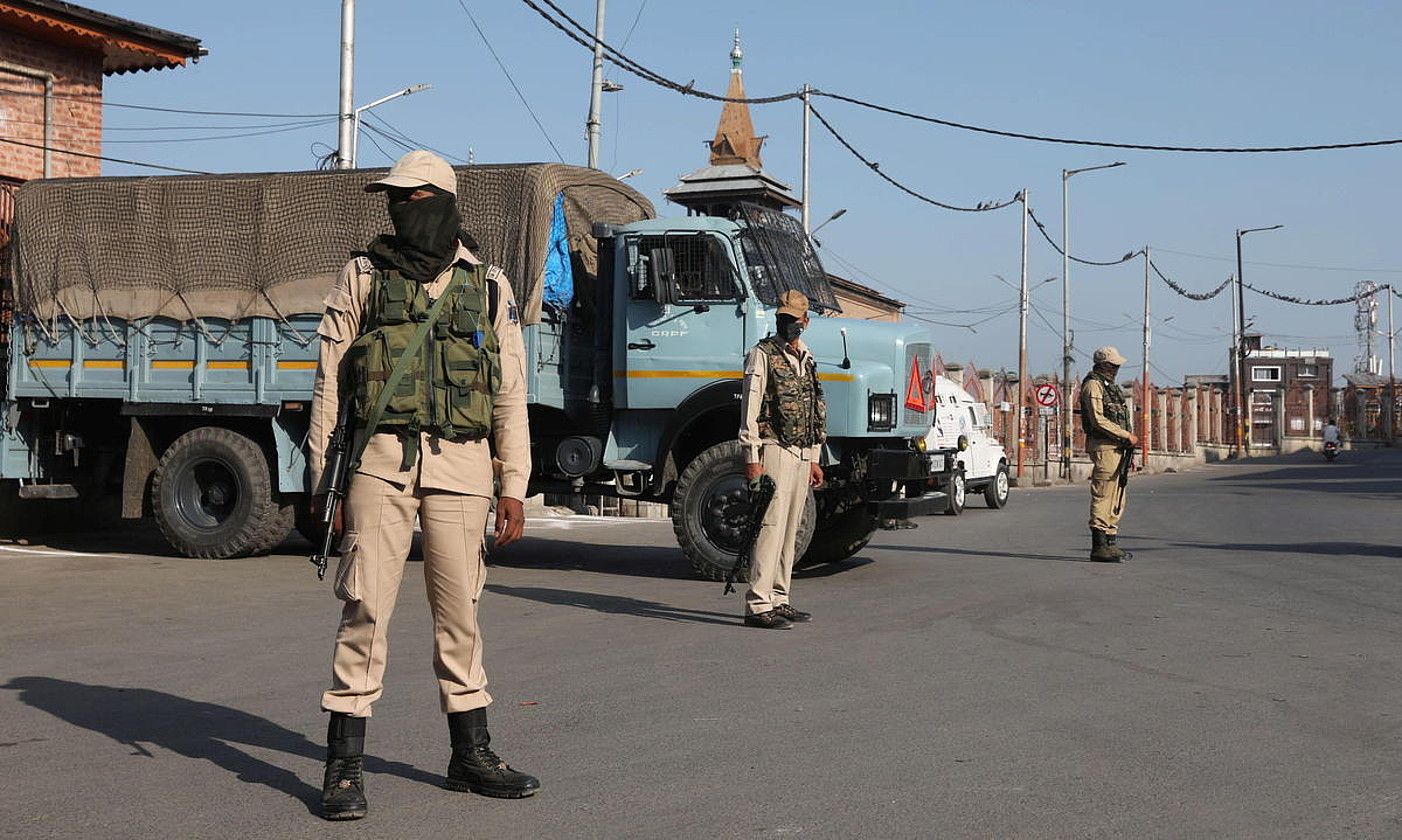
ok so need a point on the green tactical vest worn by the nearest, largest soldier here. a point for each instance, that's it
(449, 388)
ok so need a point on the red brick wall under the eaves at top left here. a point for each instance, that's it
(78, 126)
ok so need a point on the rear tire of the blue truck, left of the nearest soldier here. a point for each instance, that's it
(214, 497)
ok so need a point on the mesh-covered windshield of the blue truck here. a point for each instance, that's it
(780, 257)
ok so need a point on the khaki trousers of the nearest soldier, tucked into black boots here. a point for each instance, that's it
(376, 545)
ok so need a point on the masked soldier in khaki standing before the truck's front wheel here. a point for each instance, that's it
(783, 427)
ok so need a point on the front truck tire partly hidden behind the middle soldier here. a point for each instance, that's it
(709, 507)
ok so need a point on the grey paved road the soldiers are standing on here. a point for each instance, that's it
(972, 678)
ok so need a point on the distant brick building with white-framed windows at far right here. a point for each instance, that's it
(1288, 395)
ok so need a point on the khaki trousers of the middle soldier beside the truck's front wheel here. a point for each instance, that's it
(772, 563)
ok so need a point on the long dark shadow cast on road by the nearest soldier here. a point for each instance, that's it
(191, 729)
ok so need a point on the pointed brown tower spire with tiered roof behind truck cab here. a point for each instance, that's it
(737, 173)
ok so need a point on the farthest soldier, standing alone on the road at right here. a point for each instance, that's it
(1111, 445)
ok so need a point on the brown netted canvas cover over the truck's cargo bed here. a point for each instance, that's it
(271, 245)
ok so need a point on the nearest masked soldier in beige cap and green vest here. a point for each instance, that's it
(420, 301)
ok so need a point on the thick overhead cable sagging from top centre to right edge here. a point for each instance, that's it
(585, 39)
